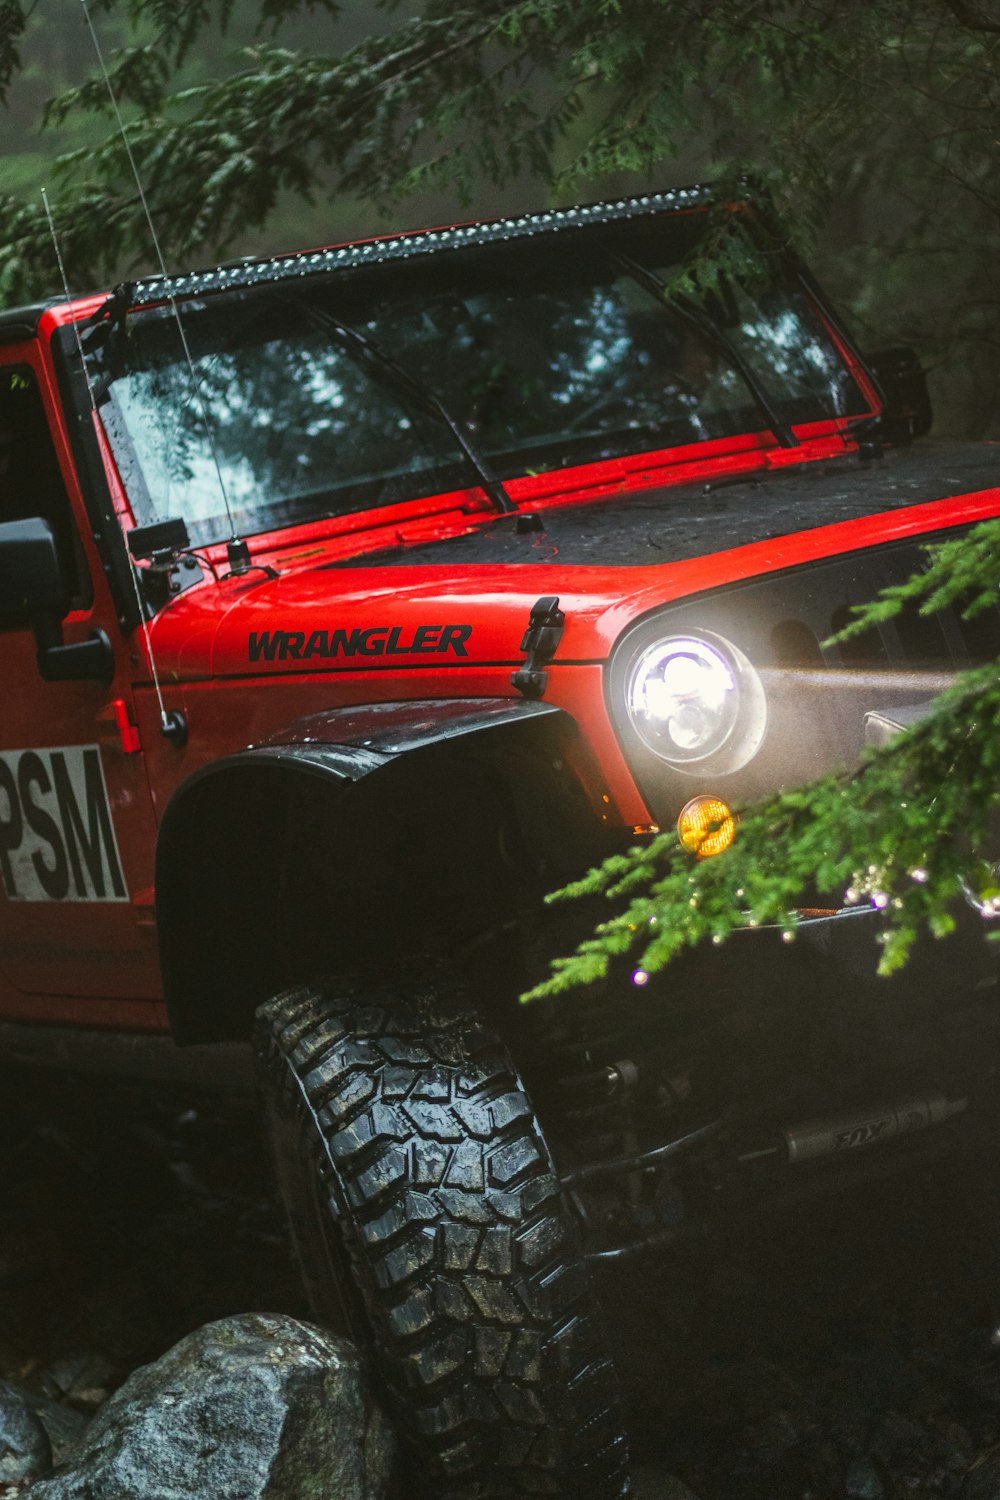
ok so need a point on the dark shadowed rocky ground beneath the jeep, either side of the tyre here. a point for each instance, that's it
(843, 1352)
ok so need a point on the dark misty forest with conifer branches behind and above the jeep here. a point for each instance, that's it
(875, 128)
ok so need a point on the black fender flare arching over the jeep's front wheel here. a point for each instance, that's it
(221, 829)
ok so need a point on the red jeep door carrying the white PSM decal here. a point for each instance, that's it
(77, 833)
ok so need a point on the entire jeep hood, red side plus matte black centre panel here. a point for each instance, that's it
(464, 601)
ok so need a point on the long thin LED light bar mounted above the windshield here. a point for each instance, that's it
(404, 247)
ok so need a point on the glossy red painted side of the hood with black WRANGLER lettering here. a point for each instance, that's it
(391, 616)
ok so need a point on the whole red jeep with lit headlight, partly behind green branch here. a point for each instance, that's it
(355, 599)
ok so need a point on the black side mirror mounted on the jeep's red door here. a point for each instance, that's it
(34, 586)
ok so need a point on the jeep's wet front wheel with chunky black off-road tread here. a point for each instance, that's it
(428, 1222)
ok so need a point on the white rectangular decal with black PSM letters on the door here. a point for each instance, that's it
(56, 835)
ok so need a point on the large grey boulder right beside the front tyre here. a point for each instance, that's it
(254, 1408)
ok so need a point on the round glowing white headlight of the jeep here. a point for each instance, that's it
(698, 703)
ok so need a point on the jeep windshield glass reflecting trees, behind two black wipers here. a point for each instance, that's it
(546, 355)
